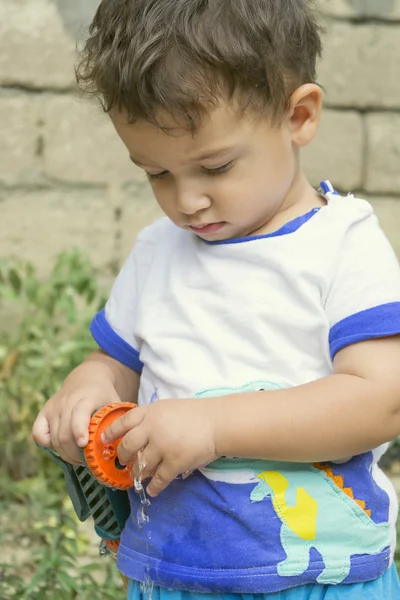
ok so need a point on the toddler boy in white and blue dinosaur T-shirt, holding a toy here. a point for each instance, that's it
(260, 320)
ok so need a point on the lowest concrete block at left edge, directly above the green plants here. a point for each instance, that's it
(39, 224)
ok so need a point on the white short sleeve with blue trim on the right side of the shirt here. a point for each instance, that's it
(364, 298)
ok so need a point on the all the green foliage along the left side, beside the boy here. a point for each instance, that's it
(46, 546)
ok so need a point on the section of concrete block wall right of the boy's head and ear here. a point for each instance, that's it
(358, 145)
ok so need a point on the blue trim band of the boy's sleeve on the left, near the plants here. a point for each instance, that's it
(113, 344)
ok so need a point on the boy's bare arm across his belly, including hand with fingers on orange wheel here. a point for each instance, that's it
(351, 411)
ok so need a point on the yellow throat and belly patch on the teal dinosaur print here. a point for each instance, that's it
(301, 518)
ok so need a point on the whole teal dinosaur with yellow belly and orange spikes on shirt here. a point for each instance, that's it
(308, 521)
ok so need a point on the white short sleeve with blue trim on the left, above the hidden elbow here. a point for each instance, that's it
(113, 328)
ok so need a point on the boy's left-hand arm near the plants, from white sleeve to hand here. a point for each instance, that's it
(108, 375)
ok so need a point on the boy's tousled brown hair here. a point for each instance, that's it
(182, 56)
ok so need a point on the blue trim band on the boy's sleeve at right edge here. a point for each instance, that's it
(377, 322)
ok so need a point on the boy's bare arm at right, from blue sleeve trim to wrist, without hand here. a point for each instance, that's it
(355, 409)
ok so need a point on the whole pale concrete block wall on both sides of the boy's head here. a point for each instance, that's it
(66, 180)
